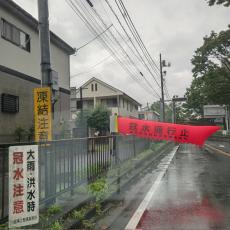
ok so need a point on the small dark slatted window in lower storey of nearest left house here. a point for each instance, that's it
(9, 103)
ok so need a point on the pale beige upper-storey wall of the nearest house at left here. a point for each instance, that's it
(29, 62)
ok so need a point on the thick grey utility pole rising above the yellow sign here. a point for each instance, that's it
(44, 34)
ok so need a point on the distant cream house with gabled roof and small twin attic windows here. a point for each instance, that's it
(95, 92)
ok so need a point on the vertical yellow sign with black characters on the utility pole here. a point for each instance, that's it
(42, 114)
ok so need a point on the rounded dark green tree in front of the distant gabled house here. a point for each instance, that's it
(99, 119)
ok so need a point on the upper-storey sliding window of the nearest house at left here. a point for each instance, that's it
(12, 34)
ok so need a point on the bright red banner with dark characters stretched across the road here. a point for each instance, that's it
(165, 131)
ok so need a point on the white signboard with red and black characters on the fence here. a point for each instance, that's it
(23, 186)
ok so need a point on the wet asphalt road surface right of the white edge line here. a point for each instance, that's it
(193, 195)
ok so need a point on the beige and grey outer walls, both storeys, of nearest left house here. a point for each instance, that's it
(28, 63)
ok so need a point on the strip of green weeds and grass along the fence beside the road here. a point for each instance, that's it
(99, 192)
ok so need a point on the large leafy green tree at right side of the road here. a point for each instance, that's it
(211, 73)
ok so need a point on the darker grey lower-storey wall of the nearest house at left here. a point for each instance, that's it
(25, 117)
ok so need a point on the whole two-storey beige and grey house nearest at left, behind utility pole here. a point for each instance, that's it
(20, 70)
